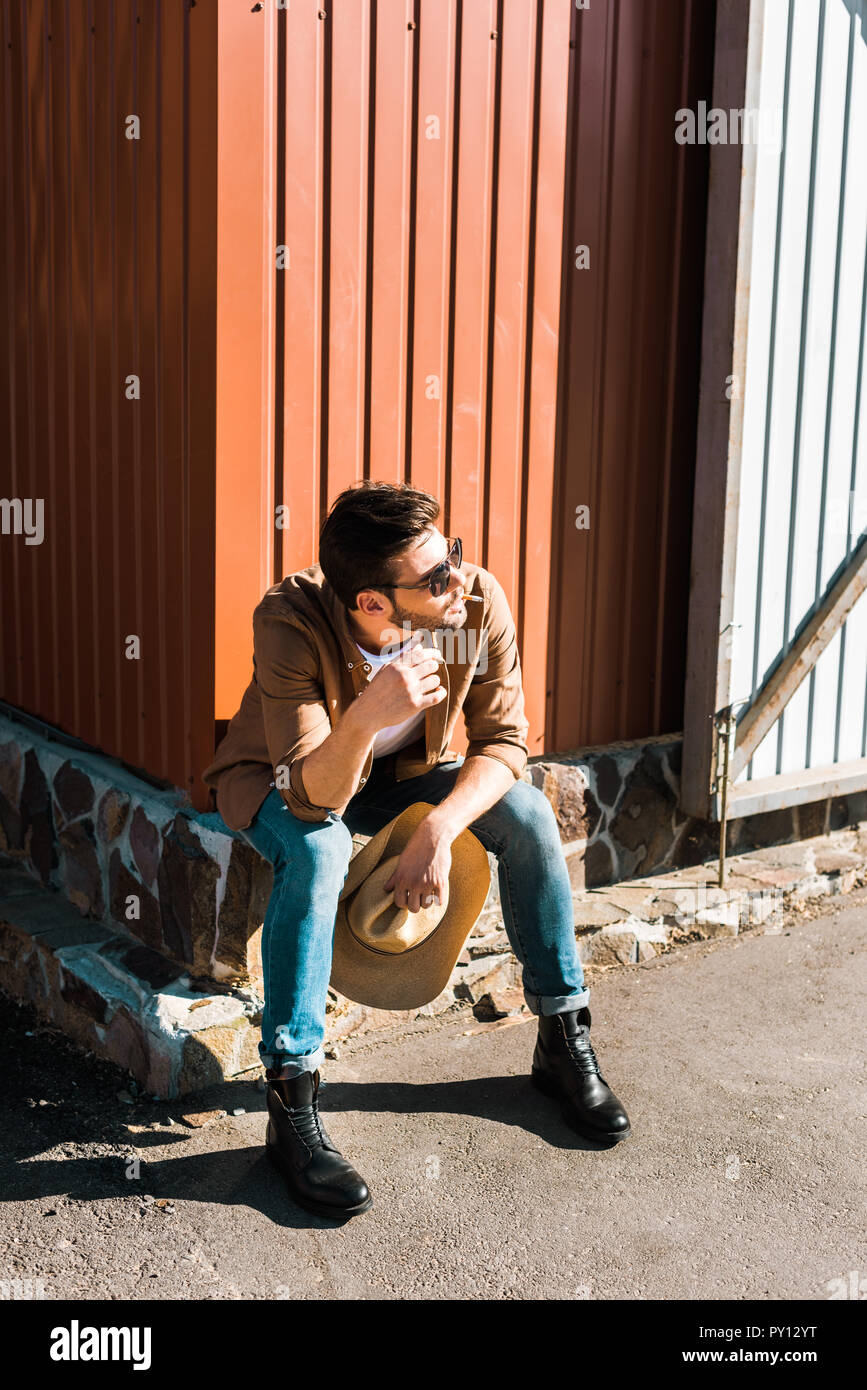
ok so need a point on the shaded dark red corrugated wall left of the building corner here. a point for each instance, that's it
(109, 272)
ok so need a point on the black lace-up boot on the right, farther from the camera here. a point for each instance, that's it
(566, 1067)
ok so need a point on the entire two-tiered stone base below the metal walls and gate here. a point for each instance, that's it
(134, 925)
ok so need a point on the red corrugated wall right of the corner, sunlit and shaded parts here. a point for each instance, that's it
(437, 163)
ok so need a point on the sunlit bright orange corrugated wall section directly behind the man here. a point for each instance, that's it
(420, 149)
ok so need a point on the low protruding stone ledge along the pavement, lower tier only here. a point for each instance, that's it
(179, 1035)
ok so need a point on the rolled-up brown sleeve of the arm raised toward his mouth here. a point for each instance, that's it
(294, 710)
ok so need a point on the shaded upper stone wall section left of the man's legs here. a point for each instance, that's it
(131, 857)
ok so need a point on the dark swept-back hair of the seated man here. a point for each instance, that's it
(368, 528)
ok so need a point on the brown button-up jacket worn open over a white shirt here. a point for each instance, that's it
(308, 669)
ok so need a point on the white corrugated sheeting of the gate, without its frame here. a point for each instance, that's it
(804, 477)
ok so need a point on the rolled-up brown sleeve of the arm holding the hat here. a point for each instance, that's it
(494, 707)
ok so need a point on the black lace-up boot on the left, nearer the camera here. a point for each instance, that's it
(297, 1142)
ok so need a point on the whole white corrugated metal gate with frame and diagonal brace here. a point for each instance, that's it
(776, 707)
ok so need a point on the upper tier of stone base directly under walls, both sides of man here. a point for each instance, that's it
(145, 864)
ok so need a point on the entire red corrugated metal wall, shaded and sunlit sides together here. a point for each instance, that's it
(342, 250)
